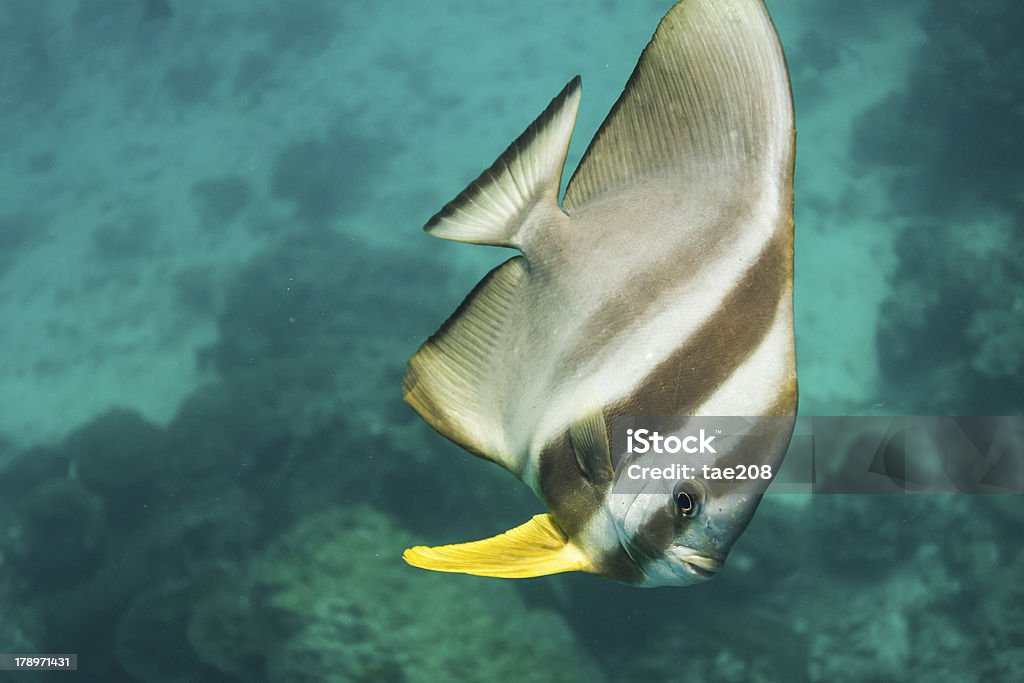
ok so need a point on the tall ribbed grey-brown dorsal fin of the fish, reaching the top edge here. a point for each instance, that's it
(708, 103)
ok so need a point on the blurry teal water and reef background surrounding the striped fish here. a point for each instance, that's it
(212, 275)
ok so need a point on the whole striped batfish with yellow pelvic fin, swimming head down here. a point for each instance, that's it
(661, 287)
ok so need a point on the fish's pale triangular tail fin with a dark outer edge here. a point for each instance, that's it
(494, 208)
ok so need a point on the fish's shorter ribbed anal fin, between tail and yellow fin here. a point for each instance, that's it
(448, 378)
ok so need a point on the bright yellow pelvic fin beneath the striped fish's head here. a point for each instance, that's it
(535, 549)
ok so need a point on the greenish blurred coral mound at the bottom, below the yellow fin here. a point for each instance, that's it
(327, 602)
